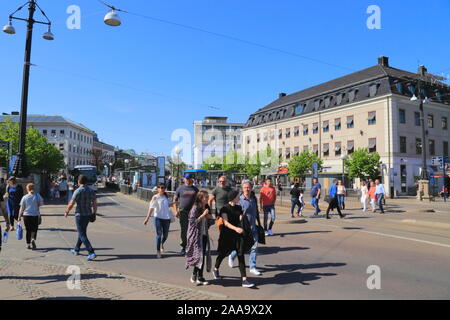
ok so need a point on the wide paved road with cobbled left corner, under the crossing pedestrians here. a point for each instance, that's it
(320, 259)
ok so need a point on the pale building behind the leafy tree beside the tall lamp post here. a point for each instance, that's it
(73, 139)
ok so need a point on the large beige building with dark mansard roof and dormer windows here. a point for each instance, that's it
(371, 109)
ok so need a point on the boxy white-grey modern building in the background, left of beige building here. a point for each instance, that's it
(214, 136)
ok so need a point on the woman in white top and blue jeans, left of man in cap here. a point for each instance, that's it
(160, 209)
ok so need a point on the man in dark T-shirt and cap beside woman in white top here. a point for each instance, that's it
(185, 195)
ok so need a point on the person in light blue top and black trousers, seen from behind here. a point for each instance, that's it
(29, 209)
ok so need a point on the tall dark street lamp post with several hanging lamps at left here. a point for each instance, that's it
(20, 167)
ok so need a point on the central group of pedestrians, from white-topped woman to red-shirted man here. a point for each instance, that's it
(235, 213)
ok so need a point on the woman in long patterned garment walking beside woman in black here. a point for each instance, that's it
(198, 250)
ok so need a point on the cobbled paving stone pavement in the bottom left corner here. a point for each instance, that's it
(23, 280)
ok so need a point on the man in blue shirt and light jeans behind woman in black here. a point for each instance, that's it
(249, 206)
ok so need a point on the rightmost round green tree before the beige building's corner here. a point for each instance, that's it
(362, 164)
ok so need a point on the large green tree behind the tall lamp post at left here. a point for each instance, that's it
(40, 154)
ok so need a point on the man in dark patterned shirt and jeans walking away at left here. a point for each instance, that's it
(85, 199)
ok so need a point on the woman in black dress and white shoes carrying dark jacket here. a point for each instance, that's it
(235, 235)
